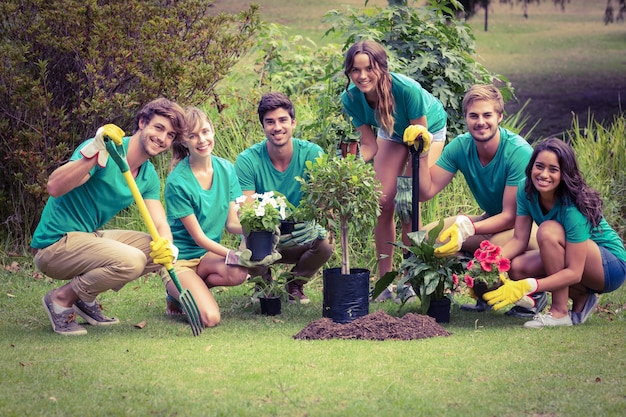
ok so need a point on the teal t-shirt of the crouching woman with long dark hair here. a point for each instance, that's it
(576, 225)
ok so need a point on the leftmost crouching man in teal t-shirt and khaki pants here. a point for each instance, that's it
(85, 194)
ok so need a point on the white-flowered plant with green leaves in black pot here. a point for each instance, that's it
(264, 212)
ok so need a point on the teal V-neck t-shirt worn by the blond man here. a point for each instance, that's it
(487, 183)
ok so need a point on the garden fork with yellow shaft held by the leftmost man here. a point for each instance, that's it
(190, 308)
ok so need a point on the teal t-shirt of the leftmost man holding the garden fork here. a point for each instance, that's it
(90, 206)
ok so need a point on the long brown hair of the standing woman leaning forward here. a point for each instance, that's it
(385, 105)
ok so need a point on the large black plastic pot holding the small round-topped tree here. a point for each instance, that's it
(346, 297)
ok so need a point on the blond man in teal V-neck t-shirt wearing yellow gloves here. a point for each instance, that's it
(492, 160)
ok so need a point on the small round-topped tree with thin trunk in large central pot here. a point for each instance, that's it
(339, 192)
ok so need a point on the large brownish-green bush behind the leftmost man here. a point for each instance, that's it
(70, 66)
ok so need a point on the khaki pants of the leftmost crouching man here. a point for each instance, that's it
(99, 261)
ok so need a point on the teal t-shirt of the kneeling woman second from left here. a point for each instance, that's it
(184, 196)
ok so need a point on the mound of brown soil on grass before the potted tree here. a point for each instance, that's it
(376, 326)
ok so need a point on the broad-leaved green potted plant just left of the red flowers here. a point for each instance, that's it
(431, 277)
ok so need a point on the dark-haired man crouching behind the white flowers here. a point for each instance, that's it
(272, 165)
